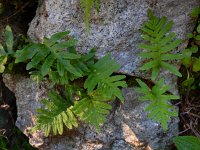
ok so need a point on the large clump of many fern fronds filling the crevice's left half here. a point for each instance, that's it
(56, 59)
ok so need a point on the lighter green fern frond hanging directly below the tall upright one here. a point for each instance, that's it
(159, 109)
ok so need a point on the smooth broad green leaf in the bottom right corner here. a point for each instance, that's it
(187, 142)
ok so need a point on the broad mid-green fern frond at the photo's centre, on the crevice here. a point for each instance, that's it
(101, 75)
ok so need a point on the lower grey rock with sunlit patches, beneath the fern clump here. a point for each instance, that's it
(127, 127)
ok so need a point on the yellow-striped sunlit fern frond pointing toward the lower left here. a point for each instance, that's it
(57, 114)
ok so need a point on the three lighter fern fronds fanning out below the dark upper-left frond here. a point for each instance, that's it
(92, 105)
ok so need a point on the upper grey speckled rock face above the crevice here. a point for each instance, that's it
(115, 29)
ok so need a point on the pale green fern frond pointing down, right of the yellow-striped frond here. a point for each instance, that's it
(93, 109)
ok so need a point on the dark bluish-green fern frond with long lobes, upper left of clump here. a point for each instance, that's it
(52, 59)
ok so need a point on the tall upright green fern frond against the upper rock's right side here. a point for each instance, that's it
(159, 44)
